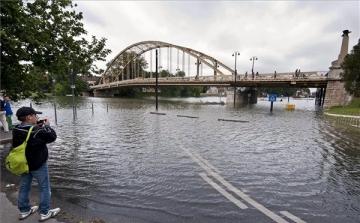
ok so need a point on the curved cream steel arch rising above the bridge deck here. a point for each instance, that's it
(134, 51)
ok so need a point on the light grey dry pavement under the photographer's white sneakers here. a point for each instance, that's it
(10, 214)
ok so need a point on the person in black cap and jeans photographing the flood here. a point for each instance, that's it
(36, 153)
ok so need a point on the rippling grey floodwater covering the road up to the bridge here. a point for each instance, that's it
(119, 159)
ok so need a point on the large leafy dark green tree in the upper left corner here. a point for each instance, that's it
(44, 39)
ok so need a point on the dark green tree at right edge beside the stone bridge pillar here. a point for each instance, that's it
(351, 71)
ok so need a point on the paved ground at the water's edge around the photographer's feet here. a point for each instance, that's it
(70, 213)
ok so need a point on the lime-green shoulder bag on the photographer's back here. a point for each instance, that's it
(16, 161)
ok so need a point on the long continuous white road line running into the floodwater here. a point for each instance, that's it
(245, 197)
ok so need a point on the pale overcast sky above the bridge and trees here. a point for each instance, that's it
(284, 35)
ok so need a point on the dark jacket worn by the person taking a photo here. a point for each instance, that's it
(36, 150)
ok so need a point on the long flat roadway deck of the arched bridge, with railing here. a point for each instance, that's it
(305, 80)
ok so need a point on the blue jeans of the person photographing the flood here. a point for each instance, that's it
(42, 177)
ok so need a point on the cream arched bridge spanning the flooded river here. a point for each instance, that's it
(127, 69)
